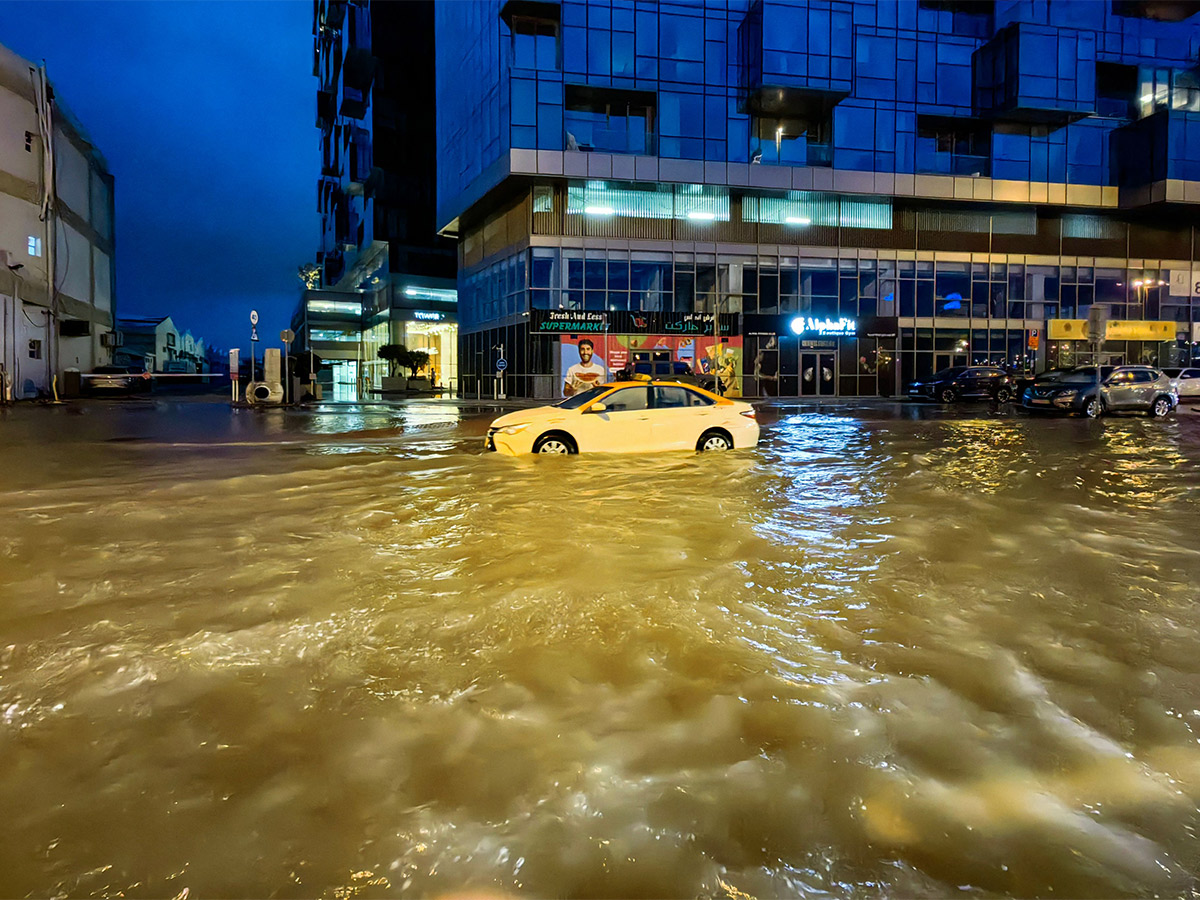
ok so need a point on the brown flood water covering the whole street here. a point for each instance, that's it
(352, 656)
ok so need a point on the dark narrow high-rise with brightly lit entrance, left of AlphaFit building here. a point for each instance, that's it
(383, 273)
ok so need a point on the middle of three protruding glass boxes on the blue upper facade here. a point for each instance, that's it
(1036, 75)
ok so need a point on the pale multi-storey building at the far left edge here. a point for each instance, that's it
(56, 212)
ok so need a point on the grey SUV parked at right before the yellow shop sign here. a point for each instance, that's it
(1121, 389)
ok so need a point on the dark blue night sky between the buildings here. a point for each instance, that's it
(206, 115)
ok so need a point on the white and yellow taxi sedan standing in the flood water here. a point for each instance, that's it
(628, 417)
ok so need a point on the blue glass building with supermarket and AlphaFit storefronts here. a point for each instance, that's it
(837, 196)
